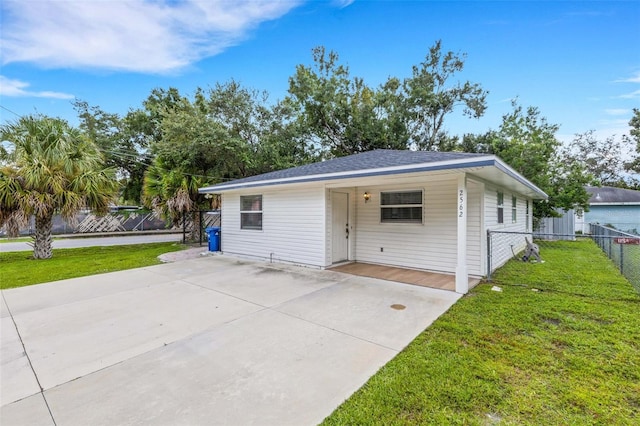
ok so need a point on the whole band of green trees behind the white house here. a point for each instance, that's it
(173, 143)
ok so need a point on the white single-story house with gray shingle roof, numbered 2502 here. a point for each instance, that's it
(412, 209)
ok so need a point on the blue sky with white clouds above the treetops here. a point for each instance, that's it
(578, 62)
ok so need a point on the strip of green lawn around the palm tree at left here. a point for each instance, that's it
(19, 269)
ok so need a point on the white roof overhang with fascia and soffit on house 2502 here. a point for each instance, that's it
(488, 168)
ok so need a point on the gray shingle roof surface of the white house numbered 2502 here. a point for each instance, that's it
(376, 159)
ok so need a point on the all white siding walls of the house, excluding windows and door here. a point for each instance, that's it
(297, 226)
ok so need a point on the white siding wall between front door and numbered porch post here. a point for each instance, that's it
(430, 246)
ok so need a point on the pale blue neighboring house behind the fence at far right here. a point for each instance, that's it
(611, 206)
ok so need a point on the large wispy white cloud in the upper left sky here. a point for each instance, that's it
(149, 36)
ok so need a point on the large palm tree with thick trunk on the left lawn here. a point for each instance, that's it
(50, 168)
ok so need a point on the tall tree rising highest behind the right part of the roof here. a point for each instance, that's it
(431, 96)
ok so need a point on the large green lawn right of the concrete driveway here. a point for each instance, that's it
(560, 345)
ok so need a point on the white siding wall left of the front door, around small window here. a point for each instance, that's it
(292, 226)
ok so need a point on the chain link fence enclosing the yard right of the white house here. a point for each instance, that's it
(622, 248)
